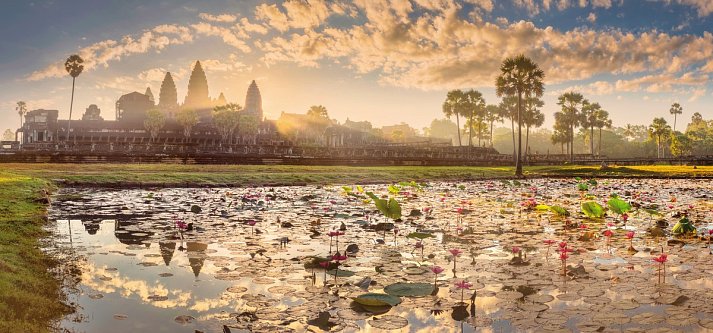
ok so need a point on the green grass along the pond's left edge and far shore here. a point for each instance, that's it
(30, 297)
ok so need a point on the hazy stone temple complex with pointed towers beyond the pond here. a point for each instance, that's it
(148, 130)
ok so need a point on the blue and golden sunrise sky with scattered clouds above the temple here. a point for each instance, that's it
(386, 61)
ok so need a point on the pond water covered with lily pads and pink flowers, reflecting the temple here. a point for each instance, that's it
(233, 259)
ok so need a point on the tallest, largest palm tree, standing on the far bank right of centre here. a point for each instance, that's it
(520, 77)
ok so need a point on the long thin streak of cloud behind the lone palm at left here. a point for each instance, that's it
(104, 52)
